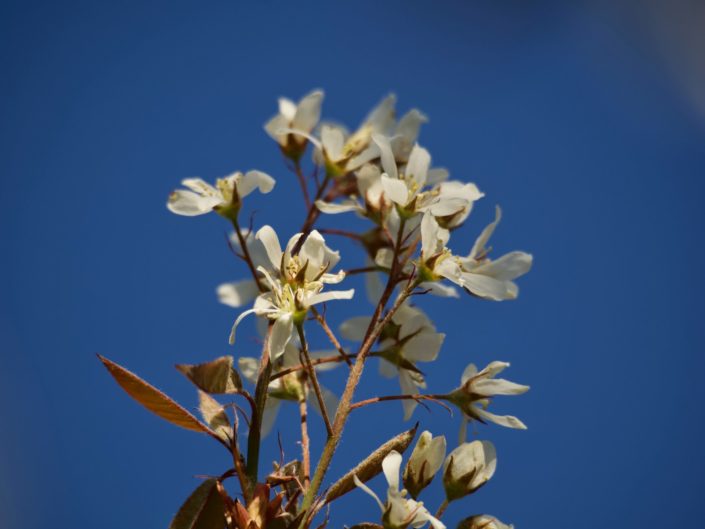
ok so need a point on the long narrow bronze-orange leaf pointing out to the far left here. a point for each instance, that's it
(153, 399)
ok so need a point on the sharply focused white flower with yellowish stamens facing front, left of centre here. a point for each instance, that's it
(295, 283)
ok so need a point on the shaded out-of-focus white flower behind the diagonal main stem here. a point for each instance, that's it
(409, 338)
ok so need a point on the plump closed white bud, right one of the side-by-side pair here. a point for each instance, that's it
(468, 467)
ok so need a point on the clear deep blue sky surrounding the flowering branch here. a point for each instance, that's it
(569, 117)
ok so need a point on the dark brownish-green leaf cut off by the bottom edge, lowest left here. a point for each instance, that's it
(204, 509)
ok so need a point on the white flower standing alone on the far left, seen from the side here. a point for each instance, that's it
(224, 198)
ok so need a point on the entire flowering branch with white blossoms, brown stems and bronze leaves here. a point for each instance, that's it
(380, 173)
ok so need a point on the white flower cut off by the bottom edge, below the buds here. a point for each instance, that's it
(399, 512)
